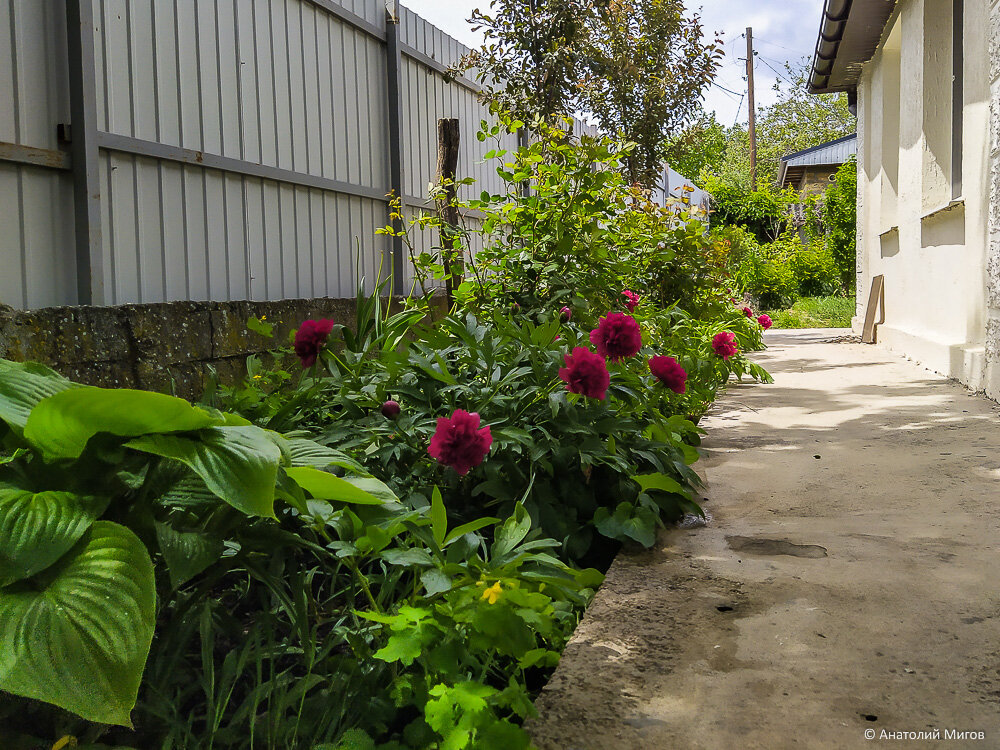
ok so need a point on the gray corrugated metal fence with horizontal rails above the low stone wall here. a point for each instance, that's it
(221, 149)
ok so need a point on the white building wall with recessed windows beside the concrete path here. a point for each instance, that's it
(931, 248)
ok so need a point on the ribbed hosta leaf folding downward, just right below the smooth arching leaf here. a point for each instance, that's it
(238, 464)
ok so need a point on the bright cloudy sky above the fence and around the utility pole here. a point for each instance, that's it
(783, 30)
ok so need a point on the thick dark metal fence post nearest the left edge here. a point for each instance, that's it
(84, 150)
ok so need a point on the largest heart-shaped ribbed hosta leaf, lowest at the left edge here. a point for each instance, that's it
(80, 639)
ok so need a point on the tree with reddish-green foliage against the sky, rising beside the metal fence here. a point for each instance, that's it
(639, 67)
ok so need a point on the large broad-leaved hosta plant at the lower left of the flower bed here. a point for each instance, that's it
(92, 483)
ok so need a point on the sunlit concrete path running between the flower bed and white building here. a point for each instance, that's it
(848, 582)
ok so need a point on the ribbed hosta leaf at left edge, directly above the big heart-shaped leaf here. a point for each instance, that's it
(36, 529)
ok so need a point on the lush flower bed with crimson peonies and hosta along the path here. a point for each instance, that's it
(386, 534)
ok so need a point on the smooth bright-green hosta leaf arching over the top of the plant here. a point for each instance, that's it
(61, 424)
